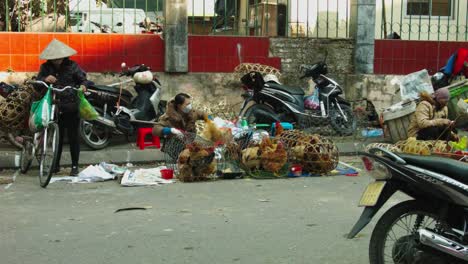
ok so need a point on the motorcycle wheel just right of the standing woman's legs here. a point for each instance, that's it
(95, 136)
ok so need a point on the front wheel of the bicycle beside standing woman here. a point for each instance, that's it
(49, 154)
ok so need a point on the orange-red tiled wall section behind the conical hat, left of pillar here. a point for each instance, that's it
(96, 52)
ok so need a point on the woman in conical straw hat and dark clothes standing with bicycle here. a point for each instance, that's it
(60, 71)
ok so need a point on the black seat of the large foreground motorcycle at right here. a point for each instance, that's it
(454, 169)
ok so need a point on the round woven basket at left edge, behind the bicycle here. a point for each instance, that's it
(14, 110)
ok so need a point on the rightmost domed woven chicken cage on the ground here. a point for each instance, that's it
(316, 154)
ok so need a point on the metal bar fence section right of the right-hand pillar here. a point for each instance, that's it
(444, 20)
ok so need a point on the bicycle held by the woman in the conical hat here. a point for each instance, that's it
(44, 144)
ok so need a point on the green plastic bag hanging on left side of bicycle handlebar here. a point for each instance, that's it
(40, 112)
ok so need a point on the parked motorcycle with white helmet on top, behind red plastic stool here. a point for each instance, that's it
(120, 112)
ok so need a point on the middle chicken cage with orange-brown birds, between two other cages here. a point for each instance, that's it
(269, 158)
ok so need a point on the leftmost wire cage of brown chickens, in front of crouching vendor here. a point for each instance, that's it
(192, 157)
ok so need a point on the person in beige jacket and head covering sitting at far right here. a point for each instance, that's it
(430, 121)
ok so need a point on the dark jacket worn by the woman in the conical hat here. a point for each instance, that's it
(69, 73)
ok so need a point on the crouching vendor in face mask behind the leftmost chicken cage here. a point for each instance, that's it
(179, 118)
